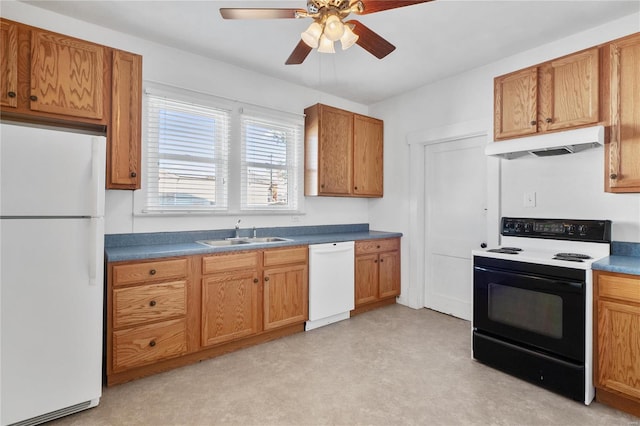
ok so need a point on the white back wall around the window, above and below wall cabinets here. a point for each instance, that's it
(174, 67)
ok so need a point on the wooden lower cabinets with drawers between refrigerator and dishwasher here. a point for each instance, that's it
(167, 313)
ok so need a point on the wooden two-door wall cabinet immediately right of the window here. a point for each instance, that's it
(343, 153)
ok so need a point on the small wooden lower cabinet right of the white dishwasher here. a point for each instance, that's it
(377, 270)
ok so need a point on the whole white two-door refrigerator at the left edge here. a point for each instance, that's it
(51, 272)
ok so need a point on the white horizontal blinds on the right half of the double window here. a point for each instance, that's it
(270, 159)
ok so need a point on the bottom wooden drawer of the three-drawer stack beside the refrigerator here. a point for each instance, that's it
(149, 343)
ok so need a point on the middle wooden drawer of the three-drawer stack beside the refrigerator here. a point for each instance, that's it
(137, 305)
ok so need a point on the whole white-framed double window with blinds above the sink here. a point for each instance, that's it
(193, 163)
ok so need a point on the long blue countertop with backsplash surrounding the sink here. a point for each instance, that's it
(121, 247)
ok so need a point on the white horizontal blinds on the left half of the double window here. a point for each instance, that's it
(187, 155)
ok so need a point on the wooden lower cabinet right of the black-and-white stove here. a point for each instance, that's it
(617, 337)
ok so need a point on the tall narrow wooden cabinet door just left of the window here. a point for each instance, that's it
(123, 170)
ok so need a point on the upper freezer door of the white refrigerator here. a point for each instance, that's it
(47, 172)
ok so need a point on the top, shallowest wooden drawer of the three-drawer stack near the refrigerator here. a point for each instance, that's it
(149, 271)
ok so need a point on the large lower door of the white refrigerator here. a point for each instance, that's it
(51, 285)
